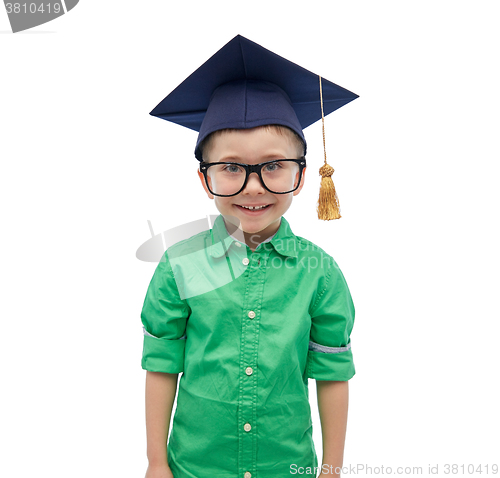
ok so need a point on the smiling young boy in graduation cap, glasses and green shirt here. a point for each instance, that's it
(247, 311)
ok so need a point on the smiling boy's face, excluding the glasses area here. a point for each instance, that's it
(253, 146)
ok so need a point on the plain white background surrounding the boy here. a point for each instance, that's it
(84, 166)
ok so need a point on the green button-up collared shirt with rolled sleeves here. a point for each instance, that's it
(247, 329)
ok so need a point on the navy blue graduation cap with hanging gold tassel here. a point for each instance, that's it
(243, 86)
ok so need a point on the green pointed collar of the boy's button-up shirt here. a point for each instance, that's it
(284, 240)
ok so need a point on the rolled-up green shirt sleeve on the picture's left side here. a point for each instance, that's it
(164, 317)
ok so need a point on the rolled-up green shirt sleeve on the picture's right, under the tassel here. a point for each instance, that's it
(332, 319)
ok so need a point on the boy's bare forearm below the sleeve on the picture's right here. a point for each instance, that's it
(333, 398)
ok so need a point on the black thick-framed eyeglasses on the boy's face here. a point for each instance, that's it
(279, 176)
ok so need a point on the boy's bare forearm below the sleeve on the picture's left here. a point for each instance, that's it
(160, 393)
